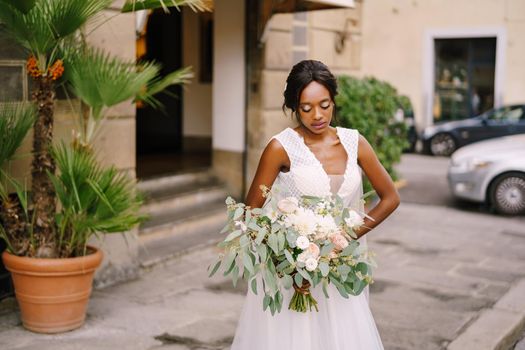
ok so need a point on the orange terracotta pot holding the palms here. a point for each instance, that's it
(53, 293)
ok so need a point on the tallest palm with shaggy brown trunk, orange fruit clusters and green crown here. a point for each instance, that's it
(41, 28)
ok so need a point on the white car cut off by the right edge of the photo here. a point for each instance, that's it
(491, 171)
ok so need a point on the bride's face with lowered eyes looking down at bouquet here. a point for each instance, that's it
(315, 107)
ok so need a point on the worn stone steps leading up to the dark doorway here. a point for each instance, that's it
(186, 211)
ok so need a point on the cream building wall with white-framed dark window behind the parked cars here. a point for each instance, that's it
(454, 59)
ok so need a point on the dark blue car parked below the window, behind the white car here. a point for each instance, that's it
(443, 139)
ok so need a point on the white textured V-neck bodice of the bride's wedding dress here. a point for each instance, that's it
(307, 175)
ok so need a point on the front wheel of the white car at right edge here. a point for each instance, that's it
(507, 194)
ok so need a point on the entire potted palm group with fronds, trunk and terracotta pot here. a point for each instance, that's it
(72, 196)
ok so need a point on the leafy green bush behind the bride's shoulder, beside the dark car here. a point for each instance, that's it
(370, 105)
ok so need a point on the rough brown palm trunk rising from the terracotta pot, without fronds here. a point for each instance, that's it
(42, 191)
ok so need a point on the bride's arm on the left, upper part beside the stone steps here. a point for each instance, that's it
(273, 159)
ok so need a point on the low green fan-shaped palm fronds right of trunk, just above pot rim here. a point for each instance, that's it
(94, 199)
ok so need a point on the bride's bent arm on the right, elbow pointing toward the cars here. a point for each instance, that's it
(382, 184)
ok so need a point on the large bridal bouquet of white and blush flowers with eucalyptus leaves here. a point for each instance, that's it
(295, 242)
